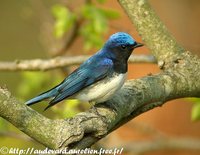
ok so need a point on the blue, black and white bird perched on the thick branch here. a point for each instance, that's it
(99, 77)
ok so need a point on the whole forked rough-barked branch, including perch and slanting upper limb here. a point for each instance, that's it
(179, 78)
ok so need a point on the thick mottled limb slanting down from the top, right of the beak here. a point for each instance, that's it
(153, 31)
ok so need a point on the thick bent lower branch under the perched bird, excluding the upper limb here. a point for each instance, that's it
(136, 97)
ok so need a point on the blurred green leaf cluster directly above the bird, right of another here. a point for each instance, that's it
(96, 25)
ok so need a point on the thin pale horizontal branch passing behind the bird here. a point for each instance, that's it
(58, 62)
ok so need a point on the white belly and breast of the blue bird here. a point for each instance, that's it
(102, 90)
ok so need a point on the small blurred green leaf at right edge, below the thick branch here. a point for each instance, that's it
(195, 114)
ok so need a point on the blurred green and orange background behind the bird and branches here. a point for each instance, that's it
(43, 29)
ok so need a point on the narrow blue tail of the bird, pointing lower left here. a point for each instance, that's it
(46, 95)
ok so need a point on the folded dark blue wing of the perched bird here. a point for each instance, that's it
(84, 76)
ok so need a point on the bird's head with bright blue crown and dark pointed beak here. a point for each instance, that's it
(120, 46)
